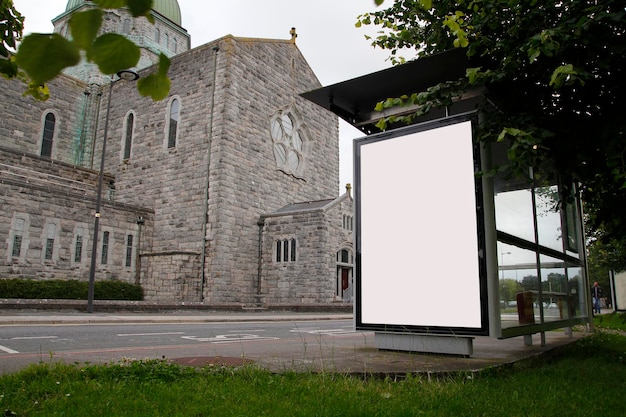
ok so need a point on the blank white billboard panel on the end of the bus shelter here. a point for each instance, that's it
(418, 263)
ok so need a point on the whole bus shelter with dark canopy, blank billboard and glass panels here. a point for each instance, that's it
(442, 254)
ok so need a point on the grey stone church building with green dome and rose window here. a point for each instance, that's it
(225, 192)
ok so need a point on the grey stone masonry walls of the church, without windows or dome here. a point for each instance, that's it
(201, 199)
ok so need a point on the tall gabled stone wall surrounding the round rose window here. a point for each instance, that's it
(256, 79)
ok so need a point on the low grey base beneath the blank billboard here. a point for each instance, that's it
(451, 345)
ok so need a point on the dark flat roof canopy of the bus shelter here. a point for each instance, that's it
(354, 100)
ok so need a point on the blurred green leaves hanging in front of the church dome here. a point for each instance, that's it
(41, 57)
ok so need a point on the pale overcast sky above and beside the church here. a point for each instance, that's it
(334, 48)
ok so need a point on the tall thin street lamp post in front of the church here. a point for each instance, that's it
(127, 75)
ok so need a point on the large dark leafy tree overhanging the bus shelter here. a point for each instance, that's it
(555, 69)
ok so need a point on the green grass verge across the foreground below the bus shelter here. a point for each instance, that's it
(585, 378)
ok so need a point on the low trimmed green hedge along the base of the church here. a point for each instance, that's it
(68, 289)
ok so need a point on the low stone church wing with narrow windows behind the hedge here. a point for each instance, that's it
(53, 200)
